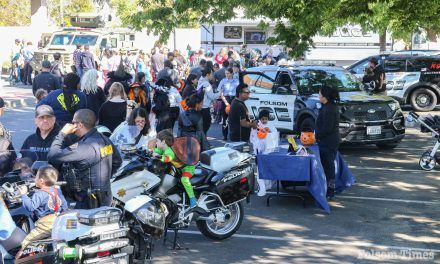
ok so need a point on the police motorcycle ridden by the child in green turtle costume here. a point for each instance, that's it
(222, 180)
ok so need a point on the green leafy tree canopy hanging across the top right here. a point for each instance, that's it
(297, 21)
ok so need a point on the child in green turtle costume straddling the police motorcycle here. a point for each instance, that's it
(164, 141)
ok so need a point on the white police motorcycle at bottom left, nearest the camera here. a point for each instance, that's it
(78, 236)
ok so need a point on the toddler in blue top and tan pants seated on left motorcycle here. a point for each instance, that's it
(46, 203)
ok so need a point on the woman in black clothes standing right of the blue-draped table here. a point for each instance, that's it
(327, 134)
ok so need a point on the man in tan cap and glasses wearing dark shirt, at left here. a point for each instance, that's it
(37, 145)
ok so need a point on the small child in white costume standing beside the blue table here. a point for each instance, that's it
(264, 145)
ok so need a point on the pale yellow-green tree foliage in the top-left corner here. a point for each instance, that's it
(15, 13)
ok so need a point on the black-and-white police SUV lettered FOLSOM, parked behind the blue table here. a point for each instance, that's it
(290, 94)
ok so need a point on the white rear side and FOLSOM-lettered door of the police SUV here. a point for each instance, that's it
(264, 97)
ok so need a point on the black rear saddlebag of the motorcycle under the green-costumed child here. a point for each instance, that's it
(236, 184)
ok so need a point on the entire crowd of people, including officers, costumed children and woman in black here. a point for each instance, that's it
(151, 93)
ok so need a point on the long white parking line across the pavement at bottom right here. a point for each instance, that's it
(321, 242)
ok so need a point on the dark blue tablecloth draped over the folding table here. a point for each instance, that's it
(282, 166)
